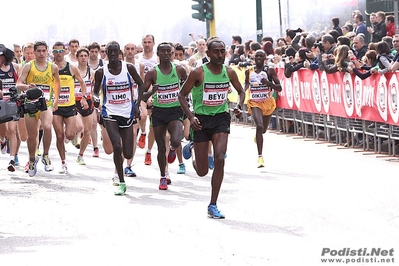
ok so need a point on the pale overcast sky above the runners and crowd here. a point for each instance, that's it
(128, 21)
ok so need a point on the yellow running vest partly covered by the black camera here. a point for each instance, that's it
(44, 80)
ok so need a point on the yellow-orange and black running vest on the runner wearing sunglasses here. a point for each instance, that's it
(67, 87)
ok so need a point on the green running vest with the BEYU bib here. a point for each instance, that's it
(210, 97)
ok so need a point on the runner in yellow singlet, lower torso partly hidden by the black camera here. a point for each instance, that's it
(48, 80)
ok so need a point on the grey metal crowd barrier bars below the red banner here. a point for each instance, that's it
(369, 136)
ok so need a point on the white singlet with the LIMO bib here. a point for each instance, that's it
(117, 91)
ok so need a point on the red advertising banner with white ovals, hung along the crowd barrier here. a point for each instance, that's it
(375, 98)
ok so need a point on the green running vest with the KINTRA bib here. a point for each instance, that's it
(168, 90)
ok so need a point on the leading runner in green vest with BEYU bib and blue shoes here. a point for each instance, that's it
(210, 85)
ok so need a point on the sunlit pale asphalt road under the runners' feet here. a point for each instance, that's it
(309, 196)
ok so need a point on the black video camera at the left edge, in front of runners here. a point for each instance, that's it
(20, 104)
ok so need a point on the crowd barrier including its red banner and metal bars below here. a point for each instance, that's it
(339, 108)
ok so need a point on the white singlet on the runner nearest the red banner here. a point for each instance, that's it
(257, 91)
